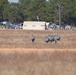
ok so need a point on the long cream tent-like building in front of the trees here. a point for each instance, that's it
(34, 25)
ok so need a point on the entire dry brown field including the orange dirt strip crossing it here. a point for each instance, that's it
(19, 56)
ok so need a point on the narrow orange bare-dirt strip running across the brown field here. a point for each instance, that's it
(34, 50)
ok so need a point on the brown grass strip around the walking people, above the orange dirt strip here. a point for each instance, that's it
(21, 39)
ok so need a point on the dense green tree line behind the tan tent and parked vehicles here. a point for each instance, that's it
(58, 11)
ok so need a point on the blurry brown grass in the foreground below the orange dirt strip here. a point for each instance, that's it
(38, 63)
